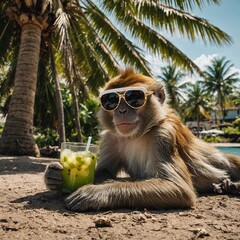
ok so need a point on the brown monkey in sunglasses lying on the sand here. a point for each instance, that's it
(167, 166)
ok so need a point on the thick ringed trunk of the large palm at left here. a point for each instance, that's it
(17, 137)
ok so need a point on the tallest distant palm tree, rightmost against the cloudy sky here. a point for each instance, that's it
(220, 80)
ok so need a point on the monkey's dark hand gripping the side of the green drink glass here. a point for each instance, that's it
(53, 177)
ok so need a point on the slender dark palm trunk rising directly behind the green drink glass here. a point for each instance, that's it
(60, 111)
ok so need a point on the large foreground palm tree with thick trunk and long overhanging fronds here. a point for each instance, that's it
(91, 46)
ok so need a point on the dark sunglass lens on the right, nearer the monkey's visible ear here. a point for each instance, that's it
(135, 98)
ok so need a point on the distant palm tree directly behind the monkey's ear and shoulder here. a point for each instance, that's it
(172, 77)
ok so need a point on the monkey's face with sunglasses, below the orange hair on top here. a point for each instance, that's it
(129, 111)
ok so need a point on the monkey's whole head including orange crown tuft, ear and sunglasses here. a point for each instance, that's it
(131, 104)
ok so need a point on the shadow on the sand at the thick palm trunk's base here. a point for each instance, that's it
(23, 164)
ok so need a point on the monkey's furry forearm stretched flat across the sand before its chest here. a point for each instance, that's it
(153, 193)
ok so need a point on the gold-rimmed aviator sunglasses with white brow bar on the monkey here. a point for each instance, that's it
(135, 97)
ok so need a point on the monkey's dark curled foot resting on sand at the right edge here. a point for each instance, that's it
(227, 187)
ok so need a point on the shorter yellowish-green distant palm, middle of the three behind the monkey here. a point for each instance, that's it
(198, 103)
